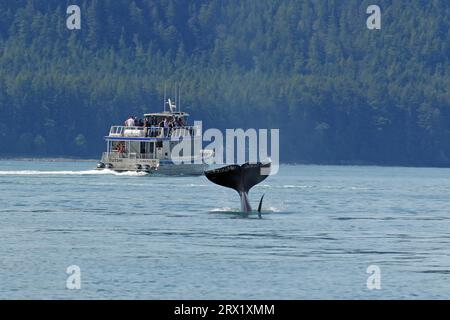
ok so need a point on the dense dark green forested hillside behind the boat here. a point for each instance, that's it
(339, 92)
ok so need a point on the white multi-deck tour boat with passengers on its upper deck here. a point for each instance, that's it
(147, 146)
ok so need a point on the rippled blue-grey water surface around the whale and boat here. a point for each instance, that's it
(154, 237)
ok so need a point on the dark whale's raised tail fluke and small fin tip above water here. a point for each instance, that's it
(240, 178)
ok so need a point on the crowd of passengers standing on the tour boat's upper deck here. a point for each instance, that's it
(168, 124)
